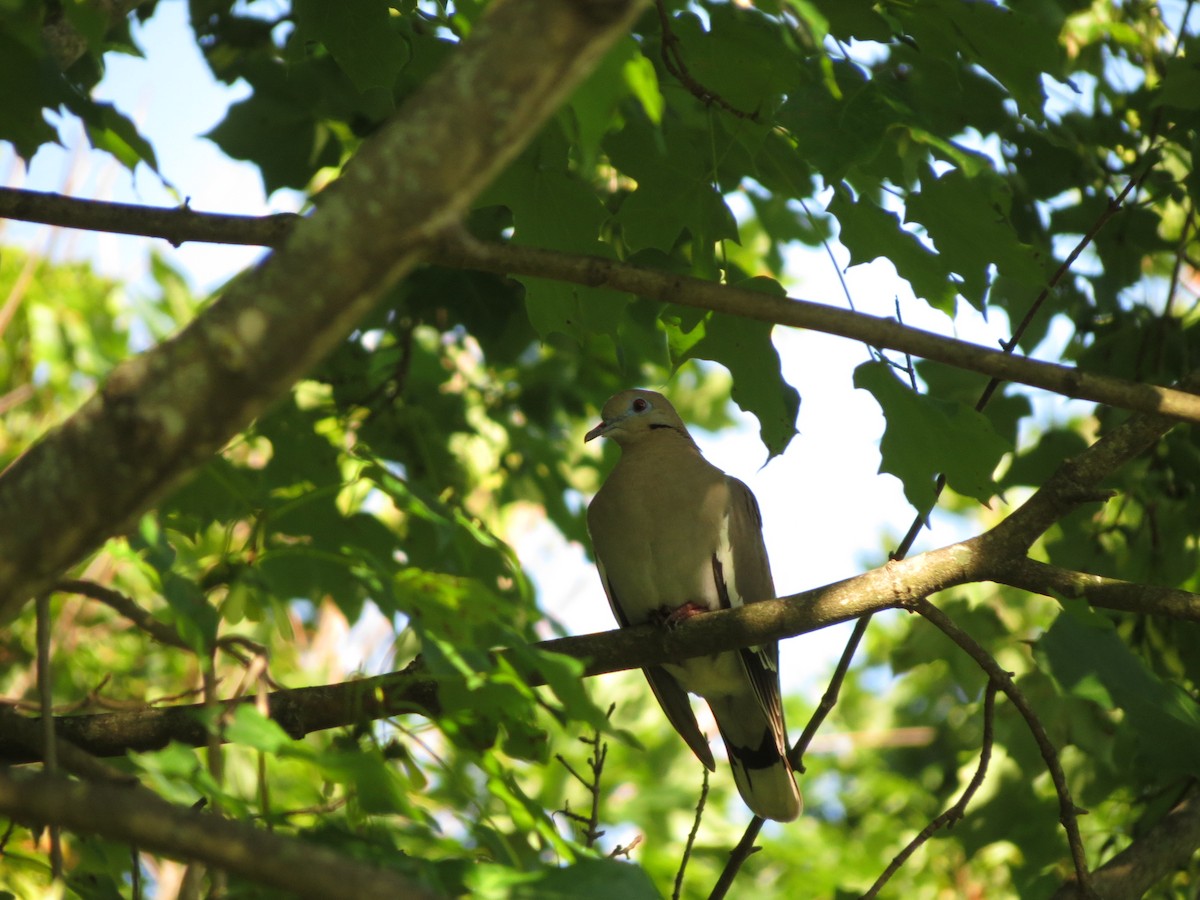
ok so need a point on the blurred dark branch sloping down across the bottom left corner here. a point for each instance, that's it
(139, 817)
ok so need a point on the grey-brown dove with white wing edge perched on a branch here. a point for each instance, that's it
(674, 536)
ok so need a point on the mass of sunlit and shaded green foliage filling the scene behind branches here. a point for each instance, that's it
(973, 145)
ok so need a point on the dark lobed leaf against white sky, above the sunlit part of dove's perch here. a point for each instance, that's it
(927, 437)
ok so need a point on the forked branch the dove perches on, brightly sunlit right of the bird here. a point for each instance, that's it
(993, 556)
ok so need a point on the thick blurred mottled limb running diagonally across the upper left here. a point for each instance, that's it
(161, 415)
